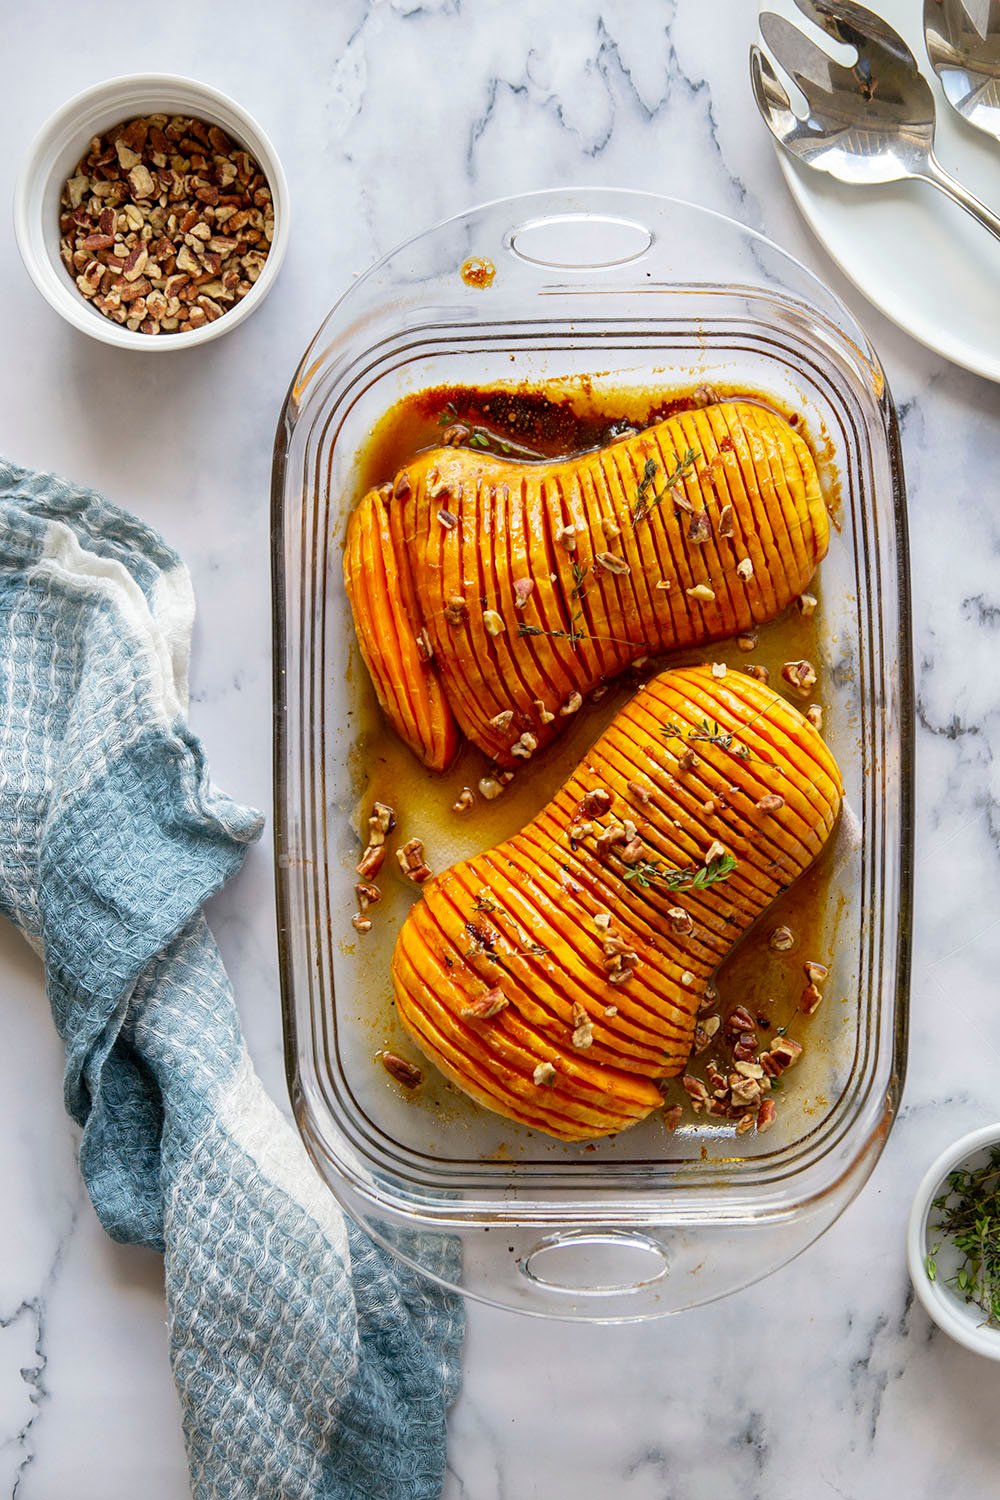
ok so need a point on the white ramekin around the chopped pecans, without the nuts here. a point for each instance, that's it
(61, 145)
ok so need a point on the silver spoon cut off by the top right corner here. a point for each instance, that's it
(963, 43)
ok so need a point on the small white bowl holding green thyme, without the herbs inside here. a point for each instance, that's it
(947, 1307)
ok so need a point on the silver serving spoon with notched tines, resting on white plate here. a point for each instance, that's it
(867, 124)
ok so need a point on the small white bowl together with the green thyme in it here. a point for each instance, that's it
(954, 1241)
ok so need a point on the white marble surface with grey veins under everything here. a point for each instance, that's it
(389, 116)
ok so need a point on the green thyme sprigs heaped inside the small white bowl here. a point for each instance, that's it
(969, 1217)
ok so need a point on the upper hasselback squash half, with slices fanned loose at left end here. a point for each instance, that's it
(490, 593)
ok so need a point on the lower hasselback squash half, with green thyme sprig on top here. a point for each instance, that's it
(506, 956)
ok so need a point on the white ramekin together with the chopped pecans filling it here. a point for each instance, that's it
(152, 214)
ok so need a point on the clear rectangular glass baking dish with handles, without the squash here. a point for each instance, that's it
(627, 290)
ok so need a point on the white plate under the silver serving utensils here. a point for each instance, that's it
(917, 256)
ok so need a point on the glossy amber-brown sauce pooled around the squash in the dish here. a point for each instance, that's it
(543, 424)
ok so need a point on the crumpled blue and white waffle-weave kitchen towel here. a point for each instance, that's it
(308, 1363)
